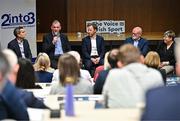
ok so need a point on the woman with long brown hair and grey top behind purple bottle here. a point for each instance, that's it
(69, 67)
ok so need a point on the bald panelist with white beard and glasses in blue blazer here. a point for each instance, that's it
(138, 41)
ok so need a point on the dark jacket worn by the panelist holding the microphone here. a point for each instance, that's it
(49, 47)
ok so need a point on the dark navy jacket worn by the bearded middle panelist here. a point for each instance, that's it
(86, 47)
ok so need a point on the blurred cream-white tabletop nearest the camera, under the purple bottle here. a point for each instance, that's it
(85, 112)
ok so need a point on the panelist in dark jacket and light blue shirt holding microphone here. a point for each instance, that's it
(55, 43)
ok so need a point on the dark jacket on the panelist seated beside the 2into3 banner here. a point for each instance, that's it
(13, 45)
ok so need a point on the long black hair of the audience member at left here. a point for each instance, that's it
(26, 76)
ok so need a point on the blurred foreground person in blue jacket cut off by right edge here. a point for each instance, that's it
(163, 103)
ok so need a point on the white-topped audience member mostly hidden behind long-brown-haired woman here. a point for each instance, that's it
(83, 73)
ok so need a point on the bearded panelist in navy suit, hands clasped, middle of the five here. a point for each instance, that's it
(92, 49)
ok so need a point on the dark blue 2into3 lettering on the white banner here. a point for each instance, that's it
(10, 20)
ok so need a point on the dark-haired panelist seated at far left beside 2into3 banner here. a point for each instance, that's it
(20, 45)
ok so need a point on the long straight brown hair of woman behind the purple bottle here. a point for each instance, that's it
(68, 67)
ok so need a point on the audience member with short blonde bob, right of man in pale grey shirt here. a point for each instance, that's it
(152, 60)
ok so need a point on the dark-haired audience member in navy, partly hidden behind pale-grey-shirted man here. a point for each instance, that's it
(99, 82)
